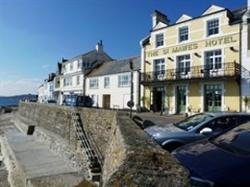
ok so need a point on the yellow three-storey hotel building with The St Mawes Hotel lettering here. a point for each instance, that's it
(195, 64)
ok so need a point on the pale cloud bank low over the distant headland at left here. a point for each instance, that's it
(21, 86)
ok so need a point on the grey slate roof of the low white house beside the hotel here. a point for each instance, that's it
(116, 66)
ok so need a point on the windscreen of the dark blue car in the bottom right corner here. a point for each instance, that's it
(236, 141)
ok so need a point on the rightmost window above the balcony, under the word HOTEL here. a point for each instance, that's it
(213, 59)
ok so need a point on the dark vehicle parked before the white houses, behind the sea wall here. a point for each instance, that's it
(78, 101)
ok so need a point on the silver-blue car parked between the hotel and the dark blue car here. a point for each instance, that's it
(194, 128)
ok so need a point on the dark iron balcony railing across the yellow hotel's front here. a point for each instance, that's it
(225, 70)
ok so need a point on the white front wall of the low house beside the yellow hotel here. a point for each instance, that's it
(119, 96)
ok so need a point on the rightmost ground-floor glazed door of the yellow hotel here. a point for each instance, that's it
(212, 97)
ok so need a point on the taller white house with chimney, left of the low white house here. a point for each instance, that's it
(70, 79)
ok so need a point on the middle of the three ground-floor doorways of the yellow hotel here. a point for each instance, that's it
(181, 99)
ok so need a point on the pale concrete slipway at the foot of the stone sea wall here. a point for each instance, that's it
(28, 162)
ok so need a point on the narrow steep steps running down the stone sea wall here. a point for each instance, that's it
(87, 147)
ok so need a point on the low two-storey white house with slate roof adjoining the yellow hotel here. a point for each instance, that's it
(109, 85)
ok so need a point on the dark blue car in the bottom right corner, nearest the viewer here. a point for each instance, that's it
(219, 161)
